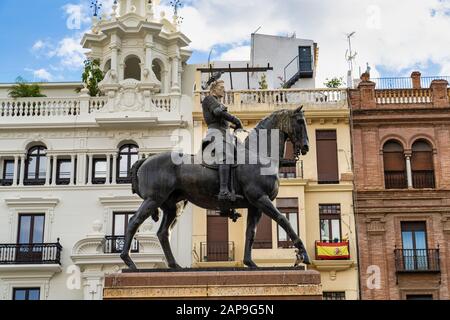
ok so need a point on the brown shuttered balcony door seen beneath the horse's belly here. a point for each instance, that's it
(217, 247)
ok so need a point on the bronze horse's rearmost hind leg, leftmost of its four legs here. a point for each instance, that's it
(144, 211)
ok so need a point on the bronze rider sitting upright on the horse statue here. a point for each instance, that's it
(218, 119)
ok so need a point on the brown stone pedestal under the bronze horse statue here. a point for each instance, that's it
(215, 284)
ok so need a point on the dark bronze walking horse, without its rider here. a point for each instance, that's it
(163, 184)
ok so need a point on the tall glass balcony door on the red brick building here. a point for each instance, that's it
(414, 240)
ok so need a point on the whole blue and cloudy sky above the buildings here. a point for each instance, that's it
(41, 38)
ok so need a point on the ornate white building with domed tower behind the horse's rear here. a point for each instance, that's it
(65, 194)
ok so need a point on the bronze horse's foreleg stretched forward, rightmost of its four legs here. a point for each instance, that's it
(266, 206)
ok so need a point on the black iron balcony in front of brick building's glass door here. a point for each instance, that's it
(417, 260)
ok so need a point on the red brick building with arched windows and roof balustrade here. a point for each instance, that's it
(401, 147)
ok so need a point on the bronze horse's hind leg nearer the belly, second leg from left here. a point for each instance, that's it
(168, 222)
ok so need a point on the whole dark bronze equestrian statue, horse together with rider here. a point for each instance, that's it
(222, 184)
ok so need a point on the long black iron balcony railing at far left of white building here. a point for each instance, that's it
(35, 253)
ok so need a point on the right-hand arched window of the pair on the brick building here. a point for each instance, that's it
(422, 165)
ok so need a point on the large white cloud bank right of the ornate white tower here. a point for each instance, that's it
(398, 35)
